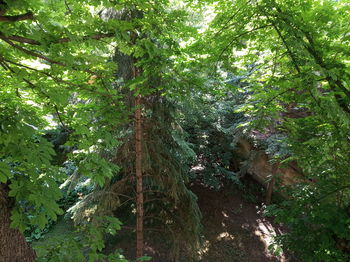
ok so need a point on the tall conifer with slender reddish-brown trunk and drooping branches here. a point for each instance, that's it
(150, 145)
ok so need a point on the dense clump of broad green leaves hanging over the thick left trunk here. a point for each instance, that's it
(25, 162)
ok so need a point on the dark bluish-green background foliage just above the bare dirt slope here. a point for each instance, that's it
(208, 122)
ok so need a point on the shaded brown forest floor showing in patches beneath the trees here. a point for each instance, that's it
(233, 229)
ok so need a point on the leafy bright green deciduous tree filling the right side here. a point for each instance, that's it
(299, 86)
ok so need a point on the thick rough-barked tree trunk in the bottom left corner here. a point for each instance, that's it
(13, 246)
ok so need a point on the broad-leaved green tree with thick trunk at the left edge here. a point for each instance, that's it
(42, 67)
